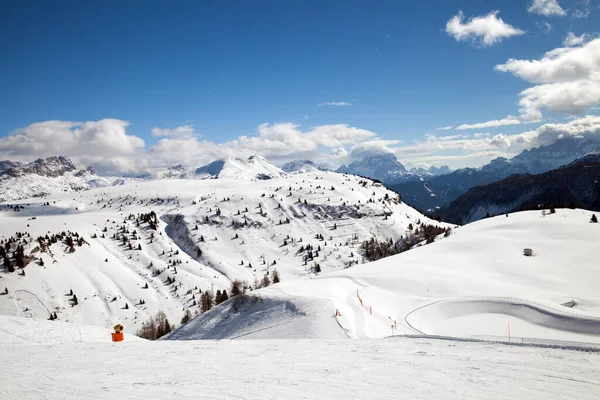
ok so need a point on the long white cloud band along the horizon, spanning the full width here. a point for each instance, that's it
(110, 149)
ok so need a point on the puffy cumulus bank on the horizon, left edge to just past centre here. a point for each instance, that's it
(110, 149)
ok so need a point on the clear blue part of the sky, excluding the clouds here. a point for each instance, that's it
(226, 67)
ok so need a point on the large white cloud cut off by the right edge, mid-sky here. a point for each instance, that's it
(567, 78)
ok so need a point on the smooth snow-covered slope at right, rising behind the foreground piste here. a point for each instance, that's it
(476, 283)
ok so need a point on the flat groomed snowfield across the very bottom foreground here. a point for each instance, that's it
(395, 368)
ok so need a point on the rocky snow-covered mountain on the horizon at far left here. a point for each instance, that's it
(45, 176)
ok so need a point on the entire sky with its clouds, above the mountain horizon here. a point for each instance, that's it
(128, 87)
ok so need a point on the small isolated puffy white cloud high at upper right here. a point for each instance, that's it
(486, 30)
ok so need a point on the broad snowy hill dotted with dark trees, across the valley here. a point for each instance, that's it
(208, 232)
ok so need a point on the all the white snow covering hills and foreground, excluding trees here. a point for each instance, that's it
(473, 285)
